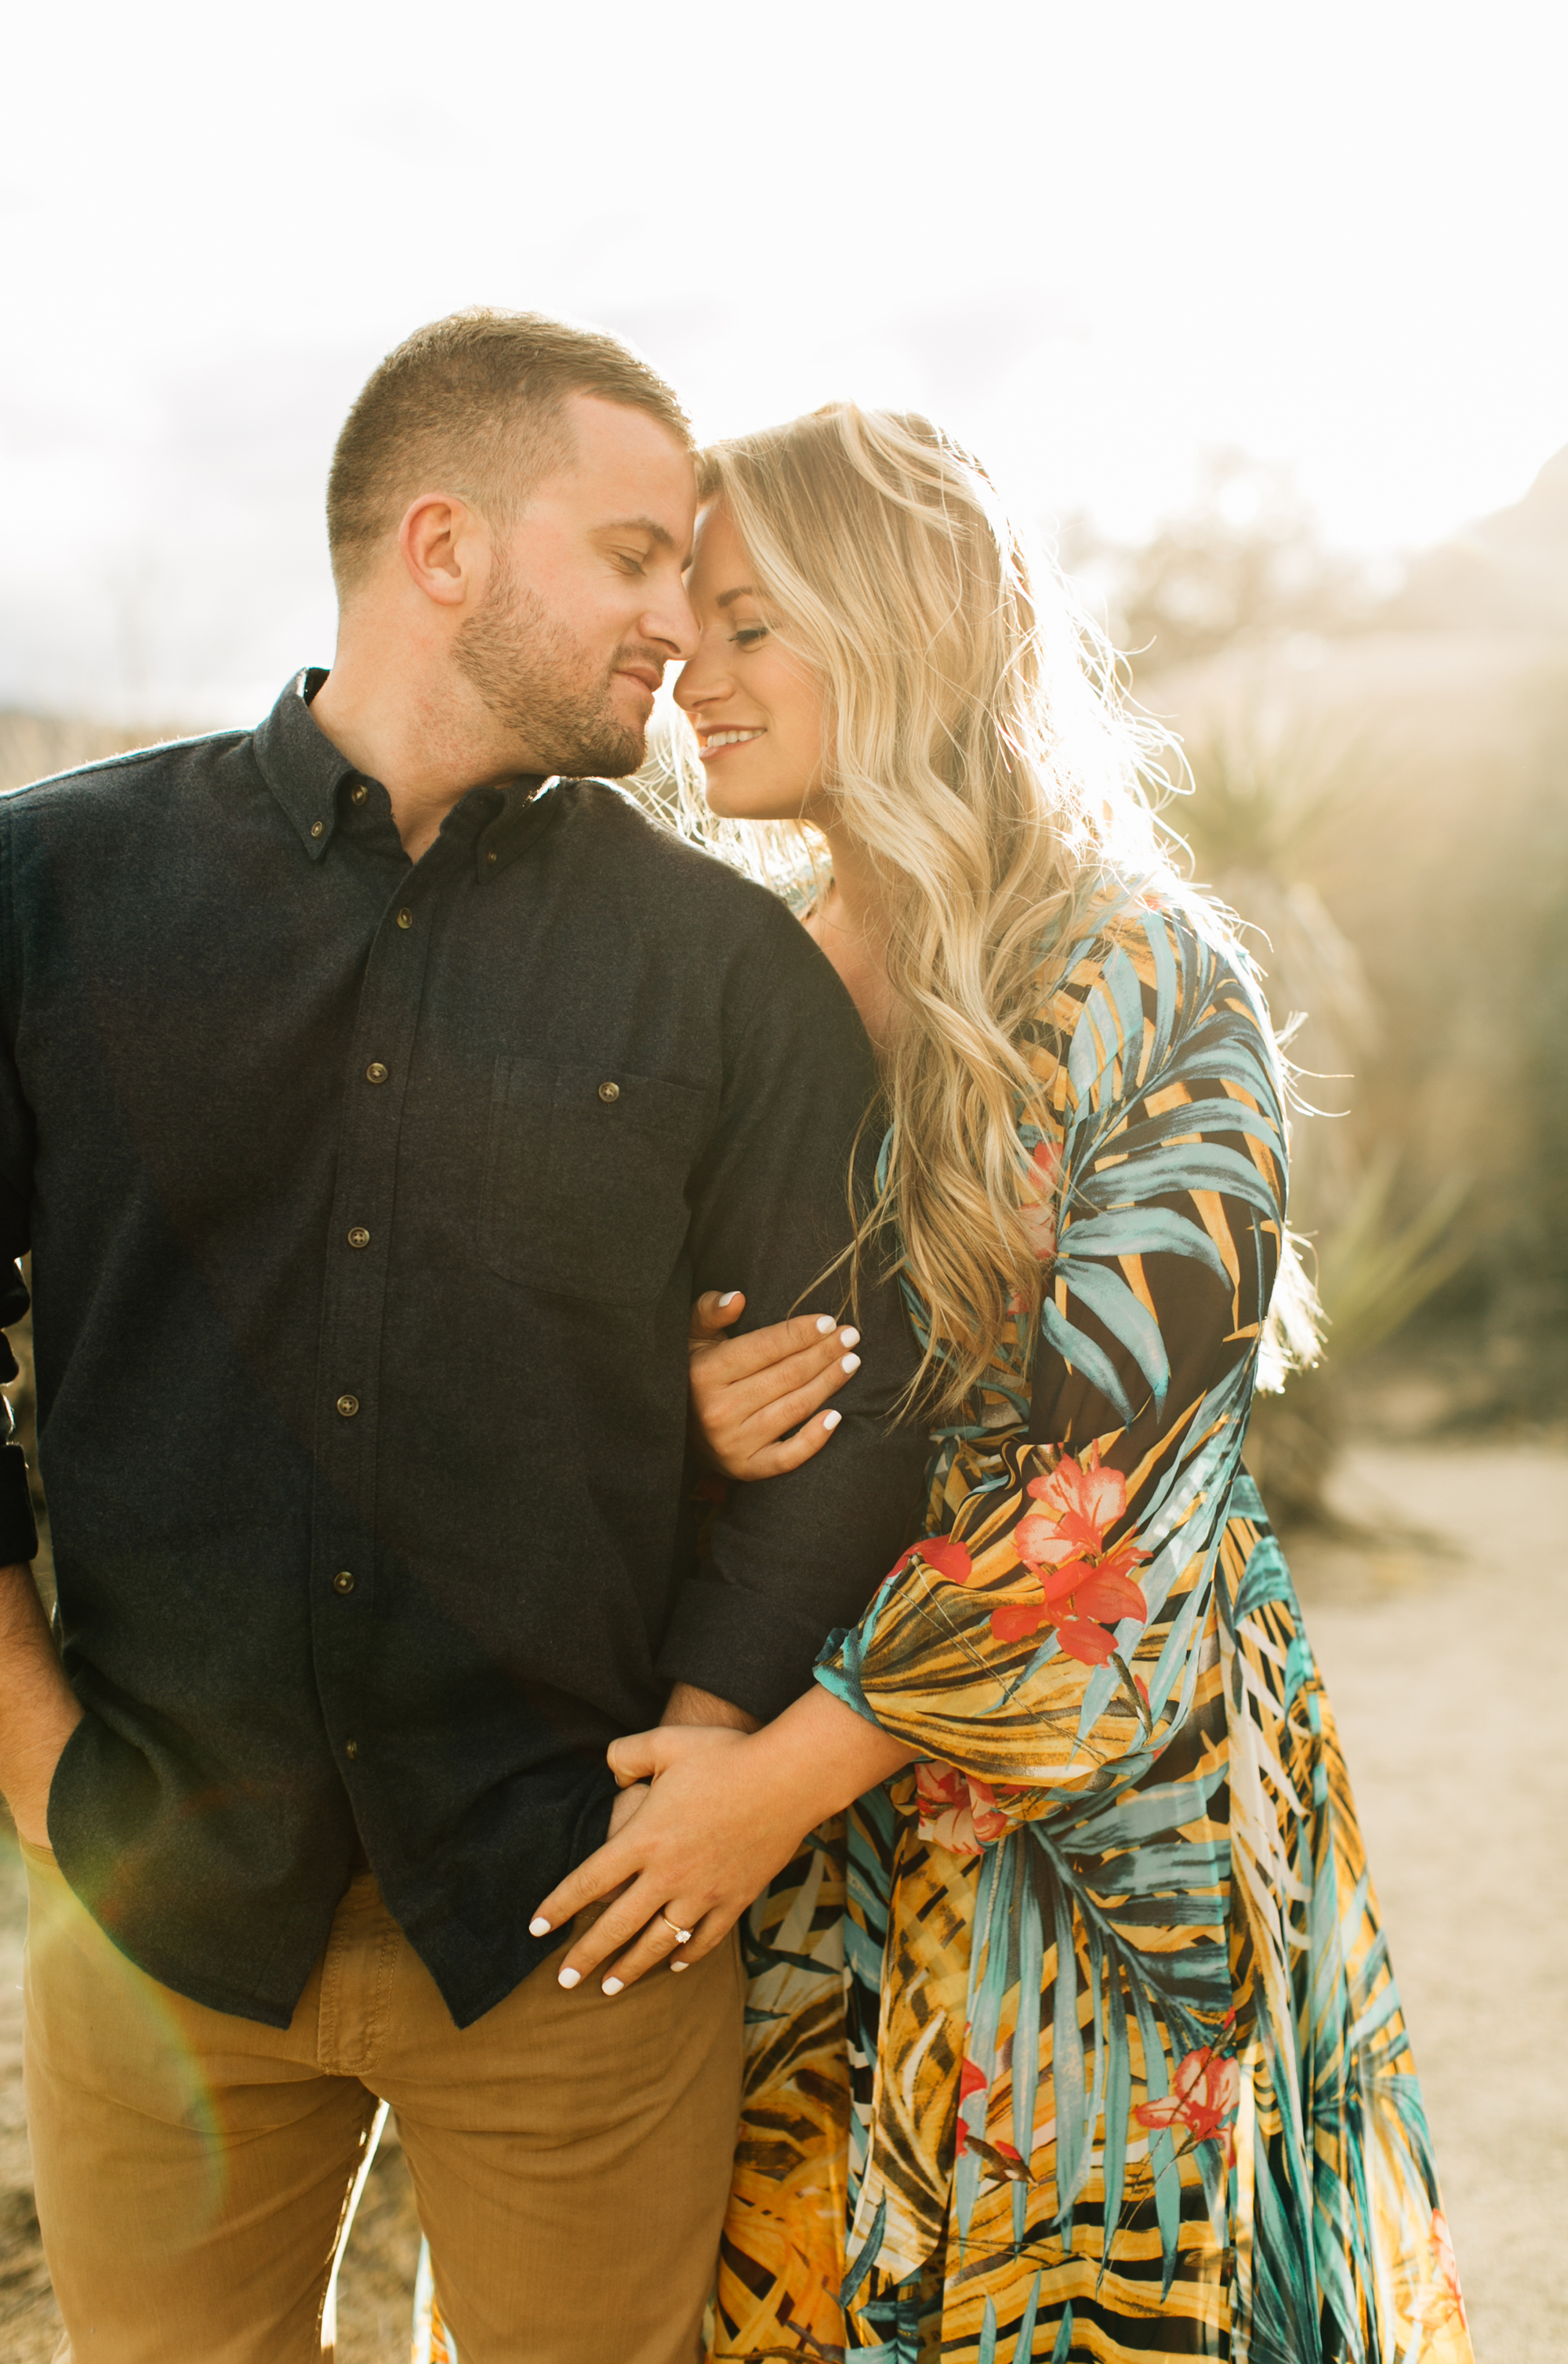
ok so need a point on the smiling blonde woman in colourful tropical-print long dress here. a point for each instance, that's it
(1073, 2025)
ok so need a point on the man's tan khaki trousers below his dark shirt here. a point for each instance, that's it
(571, 2152)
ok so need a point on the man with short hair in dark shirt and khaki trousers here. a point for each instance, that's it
(375, 1103)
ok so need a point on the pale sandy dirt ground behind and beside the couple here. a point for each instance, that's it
(1444, 1635)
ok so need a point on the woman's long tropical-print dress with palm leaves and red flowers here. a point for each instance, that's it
(1080, 2037)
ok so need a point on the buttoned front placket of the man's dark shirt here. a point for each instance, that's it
(354, 1318)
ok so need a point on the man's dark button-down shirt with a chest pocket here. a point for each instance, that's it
(368, 1202)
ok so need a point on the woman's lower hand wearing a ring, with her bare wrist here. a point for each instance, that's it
(725, 1812)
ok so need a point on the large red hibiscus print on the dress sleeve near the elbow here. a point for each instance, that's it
(1084, 1587)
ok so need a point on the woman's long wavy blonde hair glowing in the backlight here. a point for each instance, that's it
(1004, 788)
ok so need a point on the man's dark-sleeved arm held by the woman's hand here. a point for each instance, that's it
(796, 1557)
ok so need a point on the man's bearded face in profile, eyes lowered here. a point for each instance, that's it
(585, 604)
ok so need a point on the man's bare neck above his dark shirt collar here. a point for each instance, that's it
(425, 748)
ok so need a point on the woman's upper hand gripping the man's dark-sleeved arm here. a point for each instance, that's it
(749, 1394)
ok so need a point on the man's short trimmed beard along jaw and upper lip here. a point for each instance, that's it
(545, 689)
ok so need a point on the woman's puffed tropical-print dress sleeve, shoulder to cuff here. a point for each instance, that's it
(1056, 1628)
